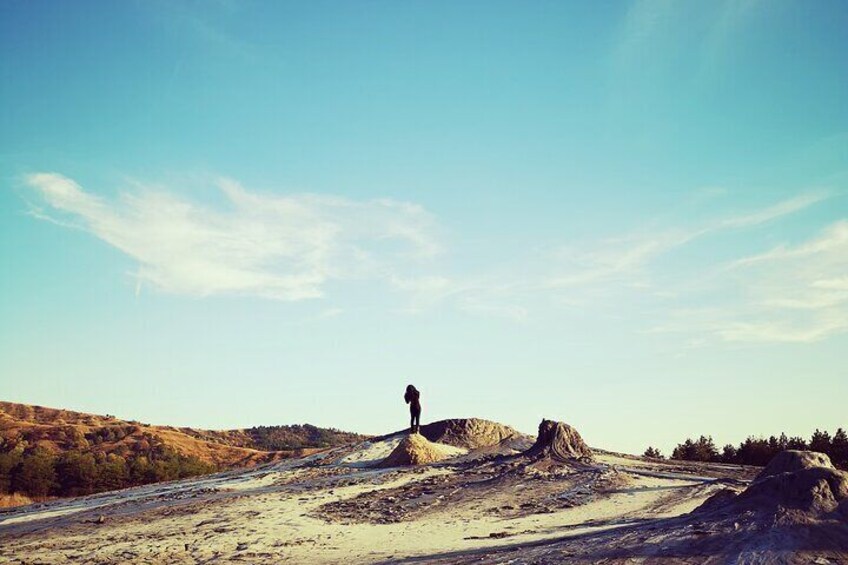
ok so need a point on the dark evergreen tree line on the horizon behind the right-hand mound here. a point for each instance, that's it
(759, 451)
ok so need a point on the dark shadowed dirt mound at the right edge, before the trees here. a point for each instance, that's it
(795, 485)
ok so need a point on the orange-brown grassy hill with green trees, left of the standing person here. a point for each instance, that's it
(48, 451)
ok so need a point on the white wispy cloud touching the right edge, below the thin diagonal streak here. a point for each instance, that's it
(790, 294)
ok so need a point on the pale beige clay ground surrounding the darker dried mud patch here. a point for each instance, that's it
(255, 516)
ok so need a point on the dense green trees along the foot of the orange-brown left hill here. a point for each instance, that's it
(37, 472)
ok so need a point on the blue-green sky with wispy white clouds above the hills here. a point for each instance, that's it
(628, 216)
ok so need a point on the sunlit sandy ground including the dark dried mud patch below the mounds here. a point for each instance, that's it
(336, 507)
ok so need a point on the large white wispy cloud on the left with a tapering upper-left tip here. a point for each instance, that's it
(283, 247)
